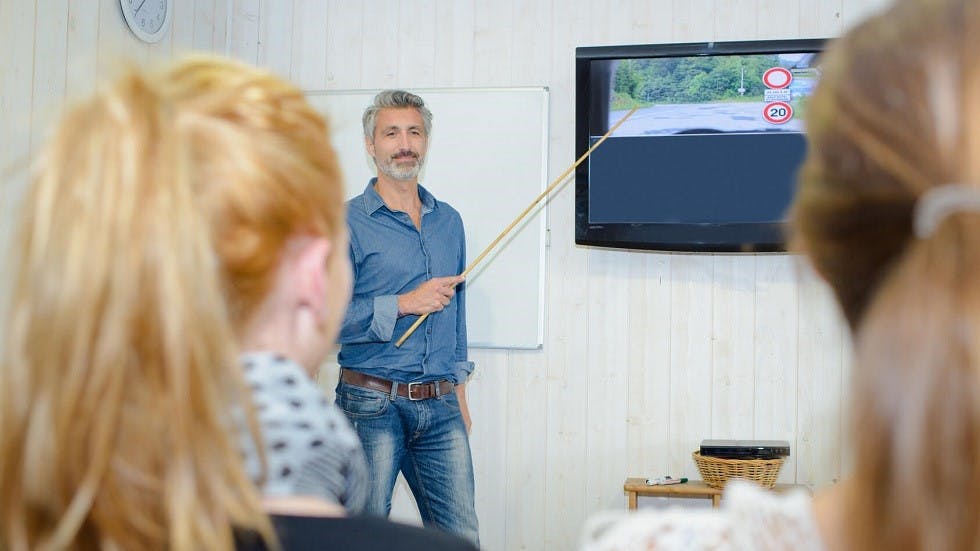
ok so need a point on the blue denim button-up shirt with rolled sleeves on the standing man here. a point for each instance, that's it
(391, 257)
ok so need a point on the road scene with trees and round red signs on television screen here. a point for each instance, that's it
(712, 94)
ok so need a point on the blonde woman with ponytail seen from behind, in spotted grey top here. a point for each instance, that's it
(180, 271)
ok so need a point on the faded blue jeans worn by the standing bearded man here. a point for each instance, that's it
(427, 441)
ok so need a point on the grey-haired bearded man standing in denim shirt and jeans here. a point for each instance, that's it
(408, 403)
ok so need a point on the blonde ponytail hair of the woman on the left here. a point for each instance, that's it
(149, 235)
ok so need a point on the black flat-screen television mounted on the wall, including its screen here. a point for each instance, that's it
(708, 163)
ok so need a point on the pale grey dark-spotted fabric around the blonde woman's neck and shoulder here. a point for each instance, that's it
(310, 446)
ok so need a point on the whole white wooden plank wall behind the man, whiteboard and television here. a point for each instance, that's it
(645, 353)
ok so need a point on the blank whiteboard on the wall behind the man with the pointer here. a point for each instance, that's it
(487, 158)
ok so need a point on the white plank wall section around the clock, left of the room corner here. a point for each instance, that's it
(54, 51)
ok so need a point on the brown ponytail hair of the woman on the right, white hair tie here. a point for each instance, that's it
(897, 113)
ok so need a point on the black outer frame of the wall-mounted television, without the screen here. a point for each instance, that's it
(746, 237)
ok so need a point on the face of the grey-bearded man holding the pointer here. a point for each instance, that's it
(399, 143)
